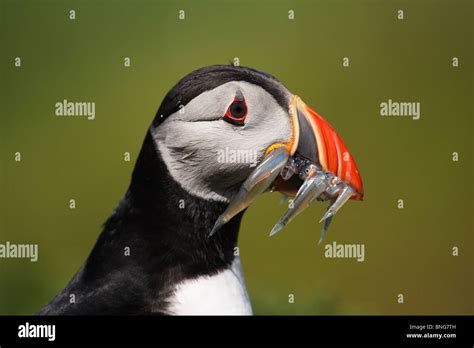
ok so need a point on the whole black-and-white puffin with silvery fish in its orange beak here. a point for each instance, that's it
(222, 136)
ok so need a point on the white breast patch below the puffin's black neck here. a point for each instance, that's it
(224, 293)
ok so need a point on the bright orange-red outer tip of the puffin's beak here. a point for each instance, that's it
(334, 155)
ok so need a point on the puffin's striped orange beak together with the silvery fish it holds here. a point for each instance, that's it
(314, 164)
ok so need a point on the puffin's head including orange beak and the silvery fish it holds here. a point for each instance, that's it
(229, 133)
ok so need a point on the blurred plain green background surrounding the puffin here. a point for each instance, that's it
(408, 251)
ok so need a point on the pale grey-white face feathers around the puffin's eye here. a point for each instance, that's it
(210, 157)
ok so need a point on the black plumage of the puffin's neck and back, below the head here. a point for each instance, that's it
(166, 246)
